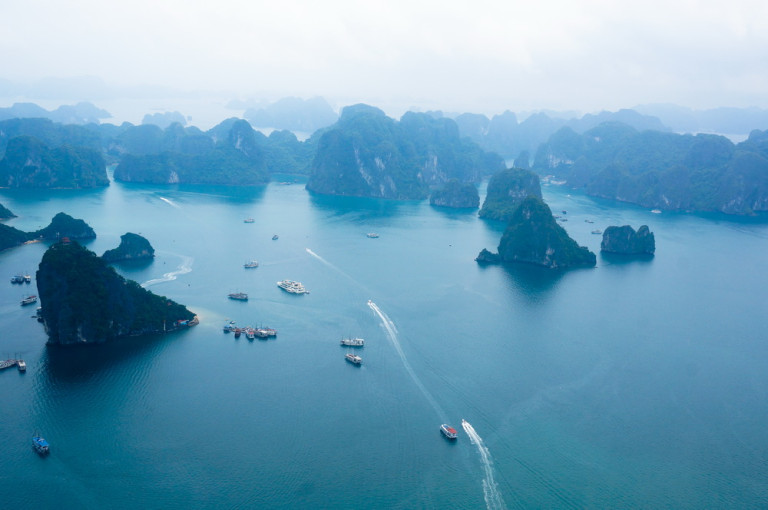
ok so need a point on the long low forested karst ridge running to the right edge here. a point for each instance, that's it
(662, 170)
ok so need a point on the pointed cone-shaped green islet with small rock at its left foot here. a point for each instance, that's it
(534, 237)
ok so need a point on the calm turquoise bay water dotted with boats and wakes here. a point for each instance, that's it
(638, 384)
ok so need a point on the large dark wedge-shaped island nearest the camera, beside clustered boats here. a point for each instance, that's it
(85, 301)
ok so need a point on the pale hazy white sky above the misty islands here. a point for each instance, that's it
(482, 56)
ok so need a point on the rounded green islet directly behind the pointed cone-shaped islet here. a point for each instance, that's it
(506, 191)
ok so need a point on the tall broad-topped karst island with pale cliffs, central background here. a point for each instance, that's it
(367, 153)
